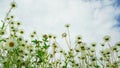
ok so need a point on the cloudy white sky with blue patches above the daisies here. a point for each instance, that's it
(92, 19)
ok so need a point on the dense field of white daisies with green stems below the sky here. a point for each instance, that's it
(18, 52)
